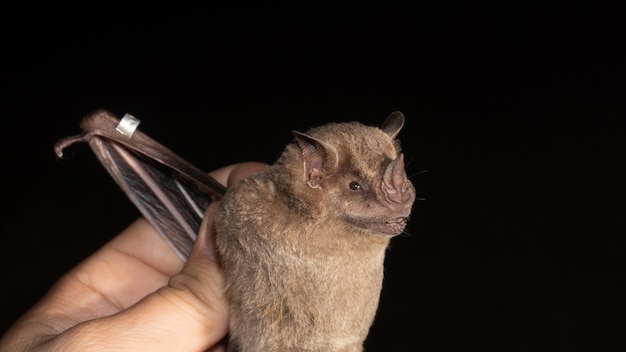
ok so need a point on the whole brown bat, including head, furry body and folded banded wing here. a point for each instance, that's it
(302, 245)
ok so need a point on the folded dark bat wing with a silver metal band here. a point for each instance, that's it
(170, 193)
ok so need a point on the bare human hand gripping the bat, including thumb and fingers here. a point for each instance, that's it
(133, 294)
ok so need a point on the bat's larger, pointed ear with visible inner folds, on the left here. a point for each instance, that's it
(319, 158)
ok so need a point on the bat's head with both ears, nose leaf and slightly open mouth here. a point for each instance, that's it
(355, 173)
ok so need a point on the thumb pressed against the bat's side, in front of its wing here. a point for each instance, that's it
(189, 314)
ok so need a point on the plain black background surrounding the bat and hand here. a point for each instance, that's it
(516, 113)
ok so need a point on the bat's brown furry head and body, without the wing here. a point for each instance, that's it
(303, 247)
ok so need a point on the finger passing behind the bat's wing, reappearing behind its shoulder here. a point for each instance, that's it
(134, 264)
